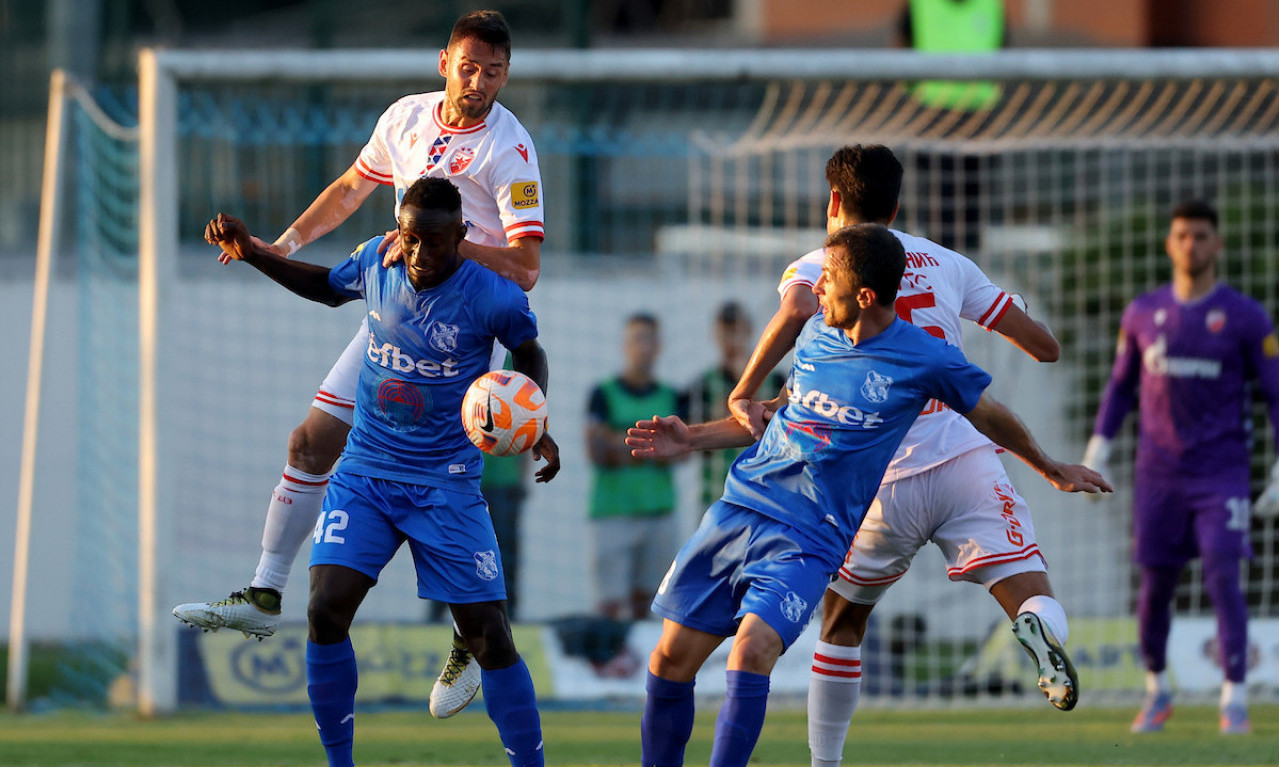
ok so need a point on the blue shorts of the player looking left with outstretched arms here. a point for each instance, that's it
(741, 562)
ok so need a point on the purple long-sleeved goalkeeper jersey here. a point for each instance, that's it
(1193, 364)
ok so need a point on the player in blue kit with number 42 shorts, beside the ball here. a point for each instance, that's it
(409, 471)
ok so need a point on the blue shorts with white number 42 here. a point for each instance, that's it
(450, 534)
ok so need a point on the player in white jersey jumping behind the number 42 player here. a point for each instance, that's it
(462, 135)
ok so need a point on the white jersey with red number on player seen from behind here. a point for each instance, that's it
(939, 287)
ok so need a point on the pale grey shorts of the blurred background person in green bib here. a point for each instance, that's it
(631, 555)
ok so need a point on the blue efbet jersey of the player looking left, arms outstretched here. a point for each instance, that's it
(823, 456)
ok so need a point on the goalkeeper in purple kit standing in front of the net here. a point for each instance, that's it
(1188, 355)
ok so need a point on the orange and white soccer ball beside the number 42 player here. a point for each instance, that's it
(505, 414)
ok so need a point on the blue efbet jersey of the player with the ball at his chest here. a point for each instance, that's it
(425, 348)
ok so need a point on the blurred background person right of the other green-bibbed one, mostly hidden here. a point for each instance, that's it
(708, 397)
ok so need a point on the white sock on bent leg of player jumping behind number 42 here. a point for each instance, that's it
(291, 518)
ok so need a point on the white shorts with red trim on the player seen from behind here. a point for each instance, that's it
(968, 507)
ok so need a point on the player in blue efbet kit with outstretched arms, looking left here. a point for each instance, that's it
(764, 554)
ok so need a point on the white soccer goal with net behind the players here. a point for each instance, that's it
(675, 182)
